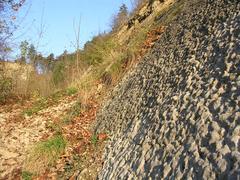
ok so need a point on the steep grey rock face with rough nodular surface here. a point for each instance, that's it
(177, 115)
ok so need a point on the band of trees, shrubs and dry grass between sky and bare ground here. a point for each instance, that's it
(101, 60)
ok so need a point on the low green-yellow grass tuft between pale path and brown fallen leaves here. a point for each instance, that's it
(44, 154)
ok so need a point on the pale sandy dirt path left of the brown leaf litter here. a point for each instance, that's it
(18, 132)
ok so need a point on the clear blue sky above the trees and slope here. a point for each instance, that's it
(57, 18)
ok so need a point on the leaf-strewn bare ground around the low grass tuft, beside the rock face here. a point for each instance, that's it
(19, 133)
